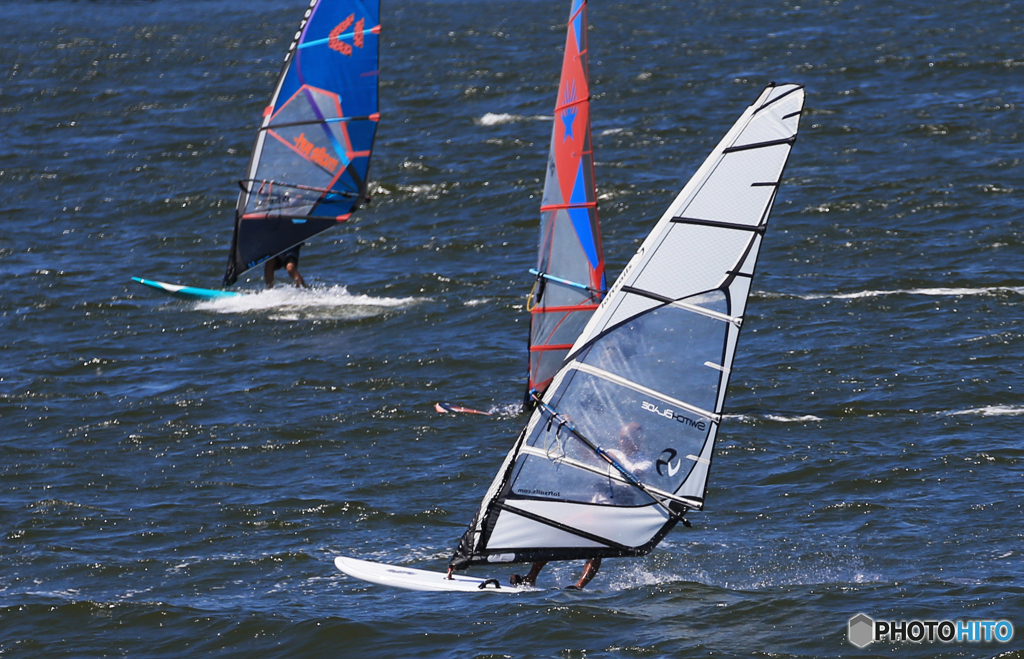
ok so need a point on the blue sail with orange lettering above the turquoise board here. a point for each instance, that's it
(312, 158)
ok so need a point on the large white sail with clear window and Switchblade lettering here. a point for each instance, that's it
(621, 446)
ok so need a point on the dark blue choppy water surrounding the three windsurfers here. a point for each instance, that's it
(177, 478)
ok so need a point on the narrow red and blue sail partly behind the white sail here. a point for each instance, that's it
(571, 262)
